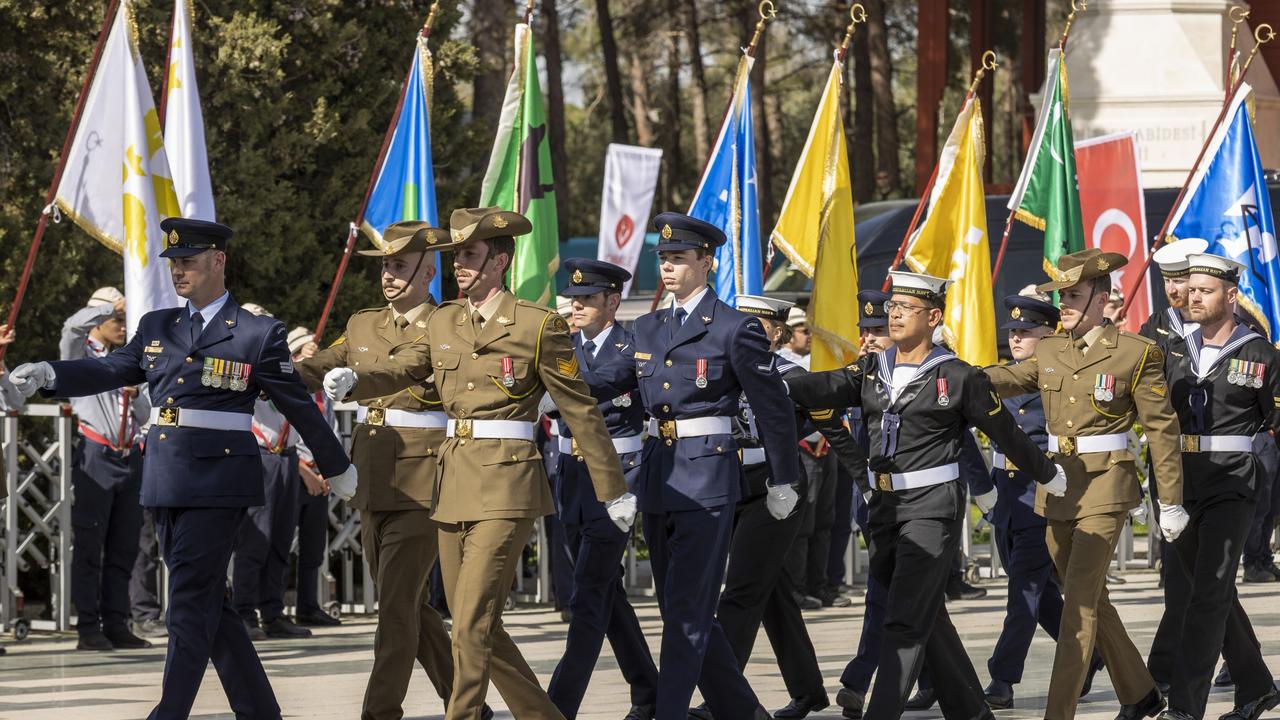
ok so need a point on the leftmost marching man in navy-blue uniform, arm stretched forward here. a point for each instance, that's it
(205, 364)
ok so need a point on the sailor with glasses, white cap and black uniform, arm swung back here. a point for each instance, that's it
(920, 402)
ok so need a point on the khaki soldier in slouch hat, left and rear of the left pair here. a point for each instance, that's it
(395, 445)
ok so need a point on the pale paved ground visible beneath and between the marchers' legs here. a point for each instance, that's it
(326, 677)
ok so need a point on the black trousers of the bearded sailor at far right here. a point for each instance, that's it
(1210, 554)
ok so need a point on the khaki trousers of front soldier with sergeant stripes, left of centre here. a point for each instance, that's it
(479, 562)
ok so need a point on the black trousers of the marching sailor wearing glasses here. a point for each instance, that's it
(913, 560)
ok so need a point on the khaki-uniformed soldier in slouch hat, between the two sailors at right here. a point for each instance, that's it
(1096, 382)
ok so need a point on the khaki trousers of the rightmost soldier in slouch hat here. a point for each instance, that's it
(1082, 552)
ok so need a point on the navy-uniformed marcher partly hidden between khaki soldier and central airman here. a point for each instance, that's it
(598, 605)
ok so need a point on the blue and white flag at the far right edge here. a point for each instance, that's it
(1228, 206)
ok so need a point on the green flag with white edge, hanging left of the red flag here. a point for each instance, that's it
(1048, 195)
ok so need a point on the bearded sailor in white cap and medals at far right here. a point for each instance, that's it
(1223, 384)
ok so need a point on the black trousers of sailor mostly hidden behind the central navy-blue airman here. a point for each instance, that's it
(757, 591)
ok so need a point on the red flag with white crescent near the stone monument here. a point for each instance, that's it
(1116, 216)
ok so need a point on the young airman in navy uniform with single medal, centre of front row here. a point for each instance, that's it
(694, 361)
